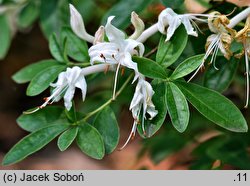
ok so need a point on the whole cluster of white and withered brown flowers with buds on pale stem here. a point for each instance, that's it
(115, 51)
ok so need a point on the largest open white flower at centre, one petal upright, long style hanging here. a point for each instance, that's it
(118, 51)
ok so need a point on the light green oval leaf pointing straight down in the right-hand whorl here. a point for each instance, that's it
(177, 107)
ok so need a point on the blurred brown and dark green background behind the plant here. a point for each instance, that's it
(167, 150)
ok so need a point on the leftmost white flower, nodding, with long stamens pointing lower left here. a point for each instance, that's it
(66, 84)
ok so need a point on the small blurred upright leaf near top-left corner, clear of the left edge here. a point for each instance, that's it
(28, 14)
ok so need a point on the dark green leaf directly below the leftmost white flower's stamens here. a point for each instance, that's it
(49, 115)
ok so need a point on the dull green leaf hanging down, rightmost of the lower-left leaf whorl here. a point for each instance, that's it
(106, 124)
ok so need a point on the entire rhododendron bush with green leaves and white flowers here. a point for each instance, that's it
(170, 68)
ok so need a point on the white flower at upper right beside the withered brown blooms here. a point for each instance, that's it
(170, 20)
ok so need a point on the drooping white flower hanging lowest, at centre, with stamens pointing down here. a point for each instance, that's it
(141, 102)
